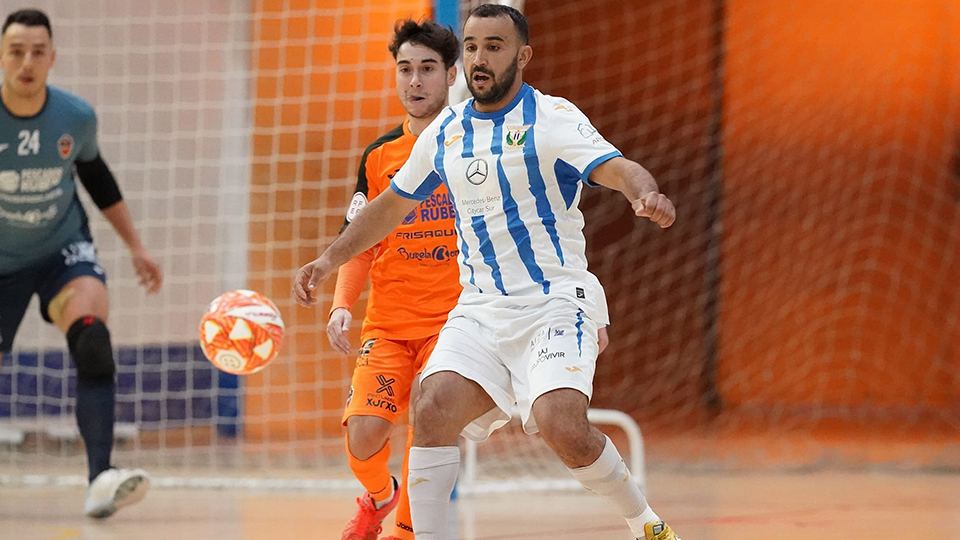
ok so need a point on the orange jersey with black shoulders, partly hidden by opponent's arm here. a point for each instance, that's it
(413, 272)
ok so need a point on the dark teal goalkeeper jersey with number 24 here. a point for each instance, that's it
(40, 212)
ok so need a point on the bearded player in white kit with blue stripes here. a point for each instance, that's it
(524, 330)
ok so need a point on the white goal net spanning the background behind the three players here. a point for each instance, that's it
(801, 313)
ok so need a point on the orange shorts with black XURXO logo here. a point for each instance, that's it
(386, 370)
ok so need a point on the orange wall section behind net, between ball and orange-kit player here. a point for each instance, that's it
(323, 89)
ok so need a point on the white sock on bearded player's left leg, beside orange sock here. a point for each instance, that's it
(433, 472)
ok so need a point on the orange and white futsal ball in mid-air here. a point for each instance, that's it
(241, 332)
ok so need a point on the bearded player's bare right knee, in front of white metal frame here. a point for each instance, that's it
(562, 419)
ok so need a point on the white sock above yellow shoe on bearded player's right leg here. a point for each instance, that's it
(608, 476)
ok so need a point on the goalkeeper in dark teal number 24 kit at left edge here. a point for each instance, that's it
(47, 136)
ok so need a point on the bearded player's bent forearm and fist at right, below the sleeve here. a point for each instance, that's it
(639, 187)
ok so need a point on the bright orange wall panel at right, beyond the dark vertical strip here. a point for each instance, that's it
(840, 281)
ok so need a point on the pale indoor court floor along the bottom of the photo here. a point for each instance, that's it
(847, 506)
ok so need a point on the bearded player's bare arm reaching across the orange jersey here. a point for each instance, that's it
(381, 216)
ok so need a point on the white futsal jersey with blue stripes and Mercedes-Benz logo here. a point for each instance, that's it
(515, 176)
